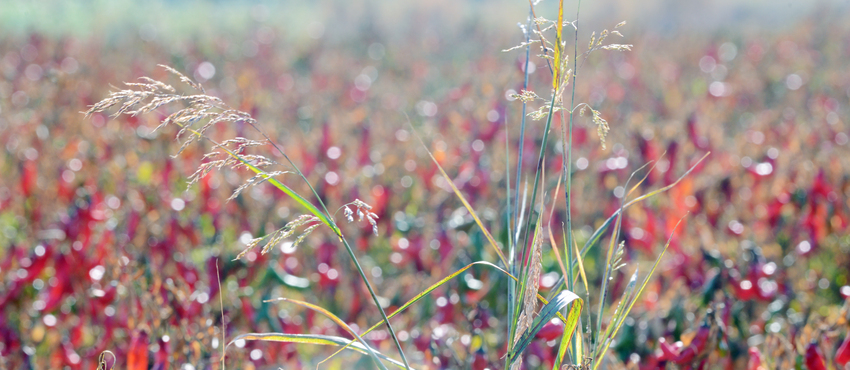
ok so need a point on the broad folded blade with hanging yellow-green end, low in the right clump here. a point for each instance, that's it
(550, 310)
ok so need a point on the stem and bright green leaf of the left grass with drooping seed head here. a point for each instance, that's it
(327, 220)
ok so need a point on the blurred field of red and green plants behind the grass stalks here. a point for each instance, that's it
(103, 246)
